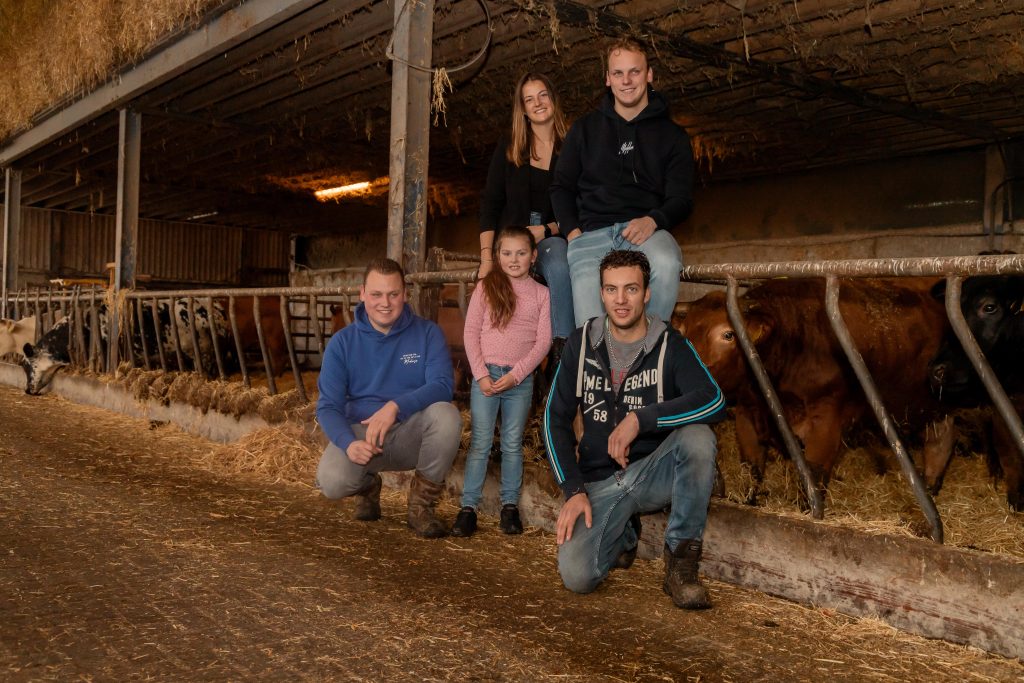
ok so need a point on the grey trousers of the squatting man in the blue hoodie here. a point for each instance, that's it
(428, 443)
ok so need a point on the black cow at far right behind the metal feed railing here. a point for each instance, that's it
(993, 310)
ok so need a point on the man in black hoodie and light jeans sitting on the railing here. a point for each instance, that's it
(624, 181)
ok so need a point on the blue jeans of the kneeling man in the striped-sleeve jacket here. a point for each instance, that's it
(680, 474)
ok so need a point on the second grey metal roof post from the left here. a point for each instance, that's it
(130, 155)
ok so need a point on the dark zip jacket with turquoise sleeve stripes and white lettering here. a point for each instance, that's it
(668, 388)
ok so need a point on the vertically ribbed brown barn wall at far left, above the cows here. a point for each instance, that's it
(57, 244)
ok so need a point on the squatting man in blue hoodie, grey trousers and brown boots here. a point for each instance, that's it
(386, 404)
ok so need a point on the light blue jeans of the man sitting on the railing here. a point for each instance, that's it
(585, 254)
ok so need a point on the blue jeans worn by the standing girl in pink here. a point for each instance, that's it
(515, 406)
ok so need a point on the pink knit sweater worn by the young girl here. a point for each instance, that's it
(524, 343)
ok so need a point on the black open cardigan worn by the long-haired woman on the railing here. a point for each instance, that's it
(506, 197)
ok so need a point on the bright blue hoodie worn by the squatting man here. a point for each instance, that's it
(364, 369)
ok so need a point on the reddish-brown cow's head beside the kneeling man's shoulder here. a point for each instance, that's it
(708, 328)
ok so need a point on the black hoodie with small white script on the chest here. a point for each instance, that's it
(612, 170)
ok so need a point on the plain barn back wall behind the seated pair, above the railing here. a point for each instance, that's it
(928, 205)
